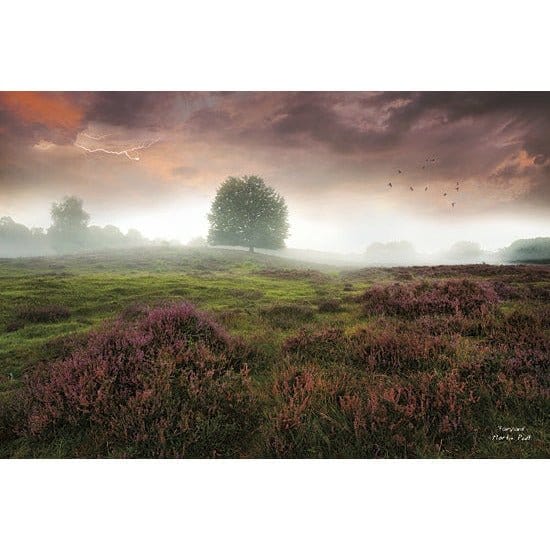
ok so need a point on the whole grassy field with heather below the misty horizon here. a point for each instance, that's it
(298, 360)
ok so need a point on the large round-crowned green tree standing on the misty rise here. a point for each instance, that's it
(246, 212)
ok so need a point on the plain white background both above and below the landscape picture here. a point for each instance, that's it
(283, 45)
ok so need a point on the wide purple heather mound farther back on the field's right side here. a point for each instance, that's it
(453, 296)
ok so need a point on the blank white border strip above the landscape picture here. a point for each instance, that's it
(283, 45)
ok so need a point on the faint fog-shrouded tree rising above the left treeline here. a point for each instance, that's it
(68, 231)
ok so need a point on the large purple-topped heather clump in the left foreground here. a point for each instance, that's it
(169, 385)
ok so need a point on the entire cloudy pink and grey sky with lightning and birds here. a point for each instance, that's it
(153, 161)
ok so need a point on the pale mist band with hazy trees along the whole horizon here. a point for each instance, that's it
(17, 240)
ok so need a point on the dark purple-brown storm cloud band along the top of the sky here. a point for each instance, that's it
(345, 122)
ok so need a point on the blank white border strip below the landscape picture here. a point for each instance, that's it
(274, 504)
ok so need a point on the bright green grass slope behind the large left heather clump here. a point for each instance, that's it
(96, 288)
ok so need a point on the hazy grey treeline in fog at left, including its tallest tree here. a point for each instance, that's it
(69, 232)
